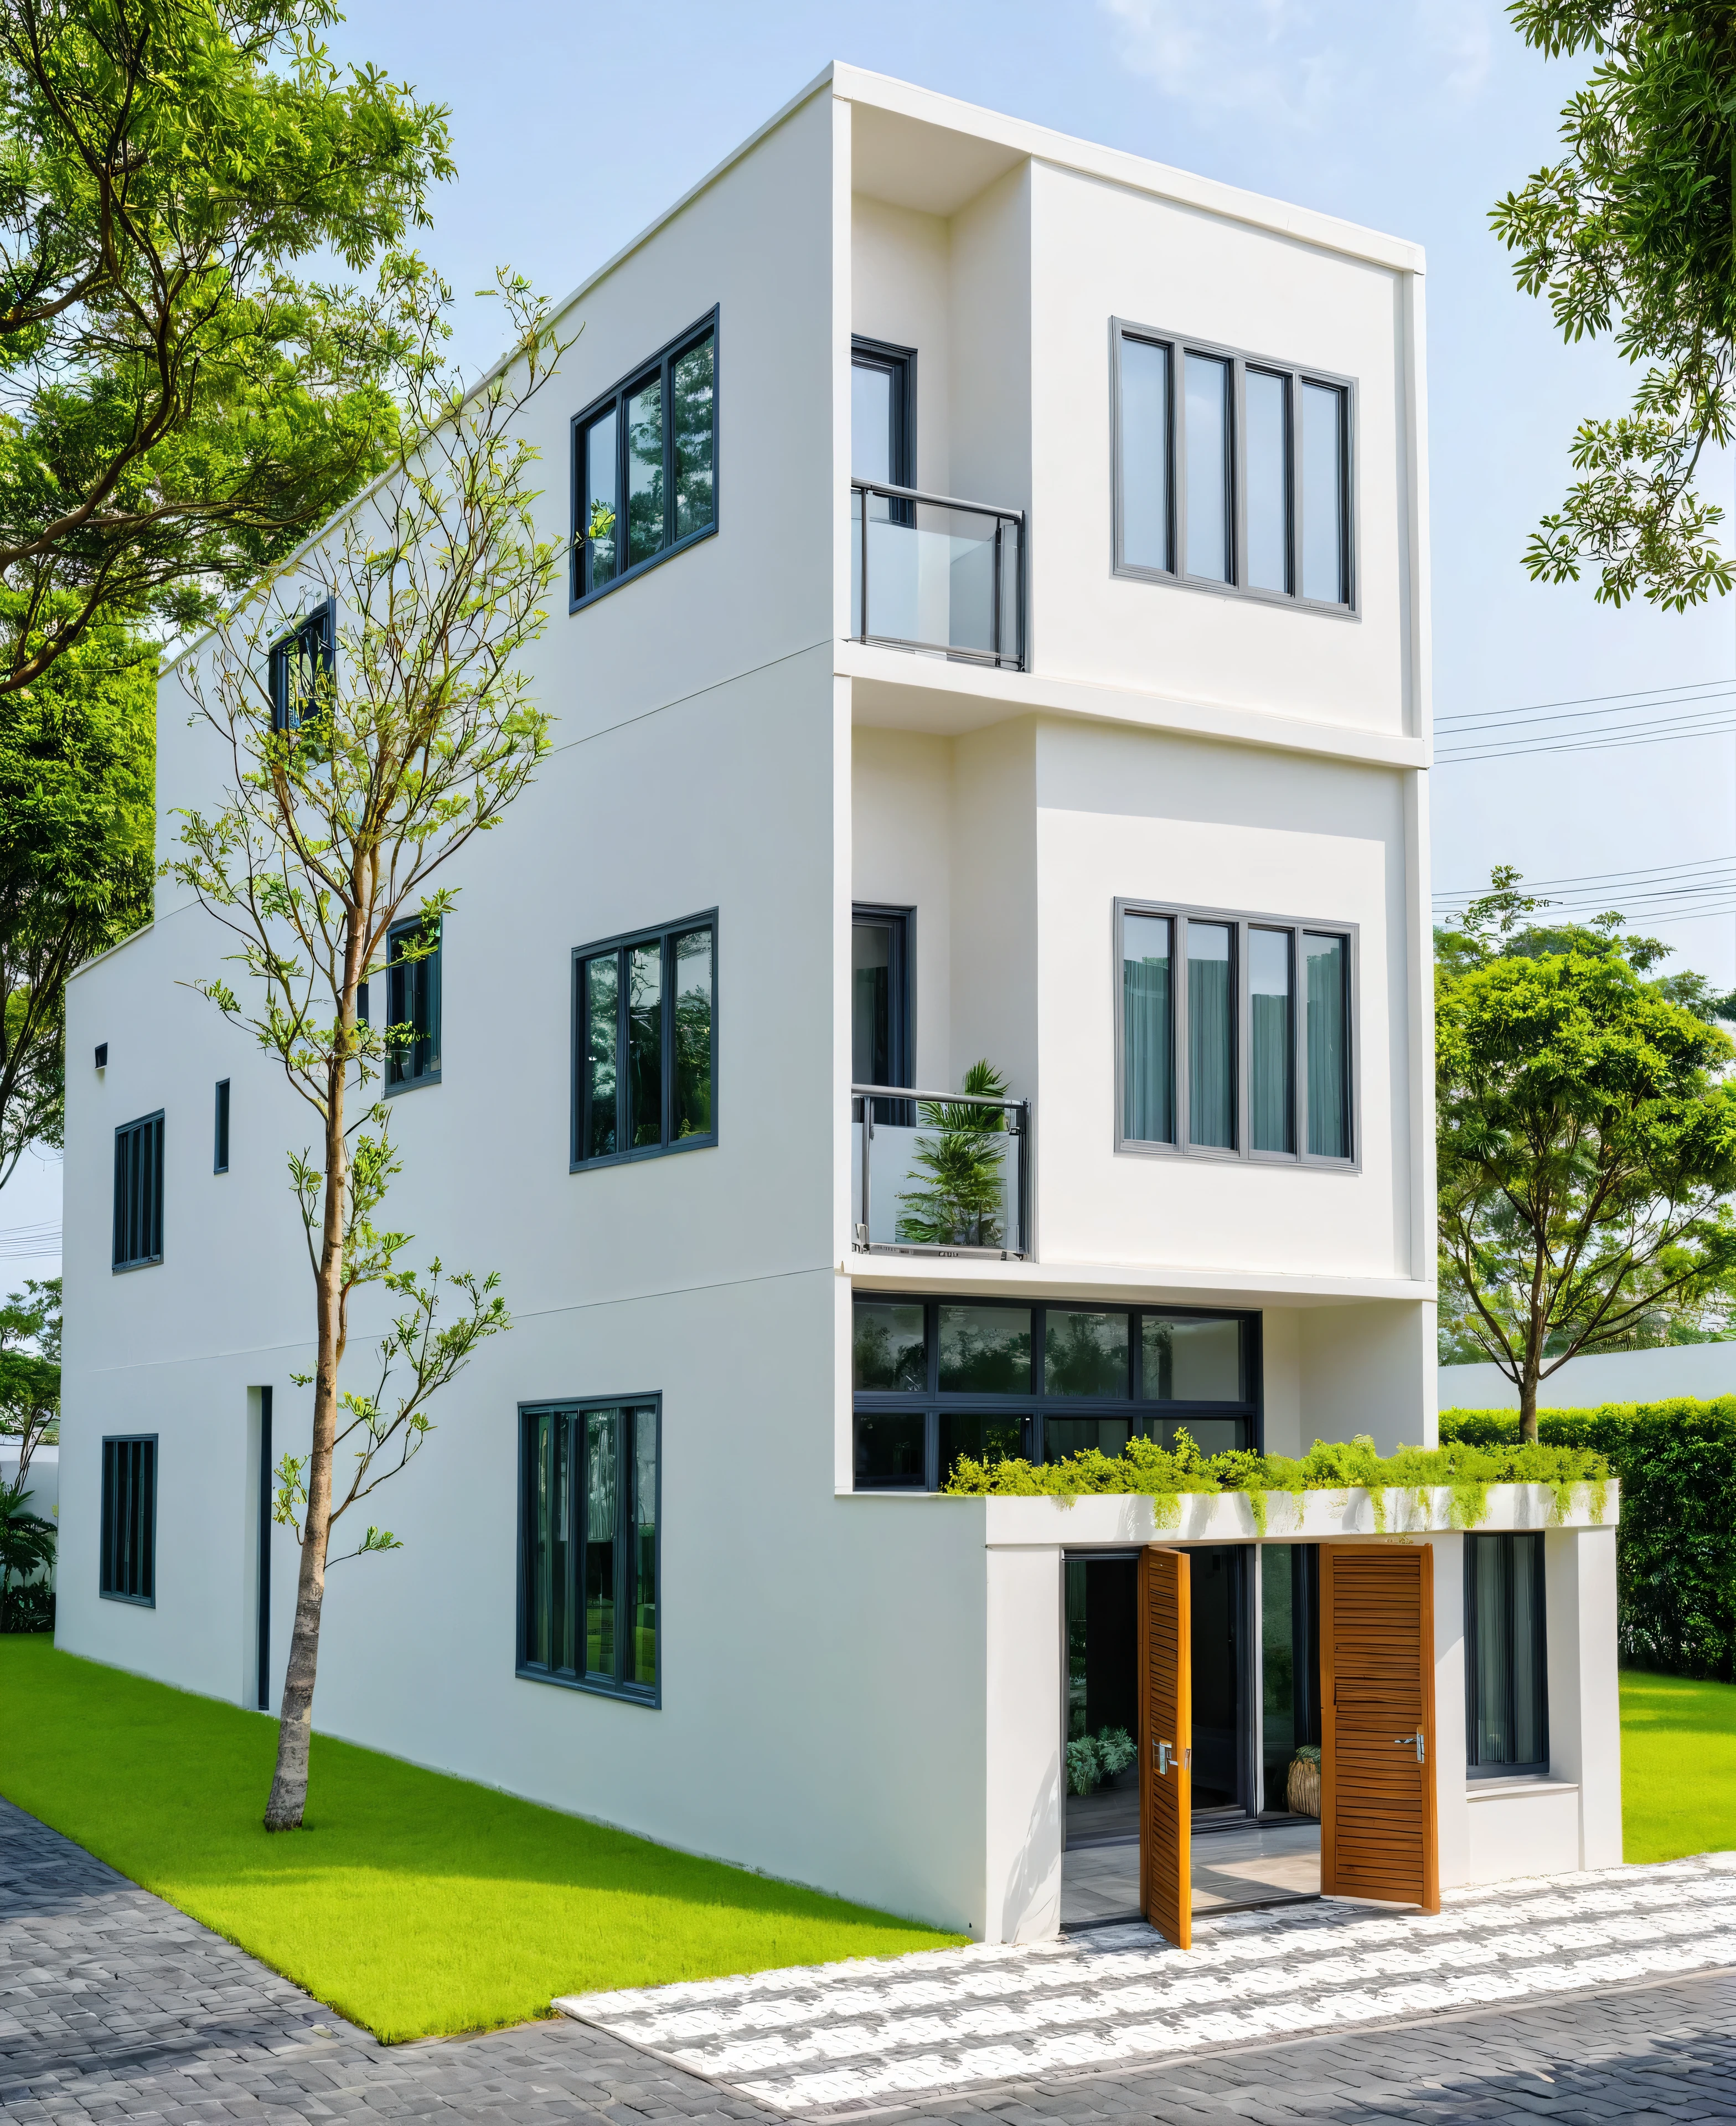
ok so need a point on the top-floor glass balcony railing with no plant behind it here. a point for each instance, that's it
(938, 575)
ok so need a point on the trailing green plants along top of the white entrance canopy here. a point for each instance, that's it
(1399, 1481)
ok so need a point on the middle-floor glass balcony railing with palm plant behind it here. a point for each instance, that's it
(940, 1172)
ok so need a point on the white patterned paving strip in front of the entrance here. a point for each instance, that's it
(828, 2036)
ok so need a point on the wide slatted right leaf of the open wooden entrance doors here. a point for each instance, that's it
(1378, 1832)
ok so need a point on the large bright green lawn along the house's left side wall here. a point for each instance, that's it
(413, 1904)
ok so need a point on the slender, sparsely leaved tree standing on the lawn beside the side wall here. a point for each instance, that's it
(333, 826)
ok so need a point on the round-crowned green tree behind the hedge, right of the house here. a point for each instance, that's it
(1586, 1145)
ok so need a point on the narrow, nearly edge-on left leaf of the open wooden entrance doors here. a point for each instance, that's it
(1165, 1744)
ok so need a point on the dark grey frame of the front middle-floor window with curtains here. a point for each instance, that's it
(1299, 928)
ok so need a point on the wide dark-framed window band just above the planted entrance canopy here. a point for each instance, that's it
(938, 1379)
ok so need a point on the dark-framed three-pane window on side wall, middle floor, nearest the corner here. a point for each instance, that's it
(647, 1043)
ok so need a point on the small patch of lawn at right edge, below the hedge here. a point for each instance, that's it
(1678, 1768)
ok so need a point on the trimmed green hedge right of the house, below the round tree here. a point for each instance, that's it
(1678, 1542)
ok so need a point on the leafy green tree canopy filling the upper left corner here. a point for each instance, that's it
(180, 409)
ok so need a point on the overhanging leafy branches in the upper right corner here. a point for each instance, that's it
(1635, 233)
